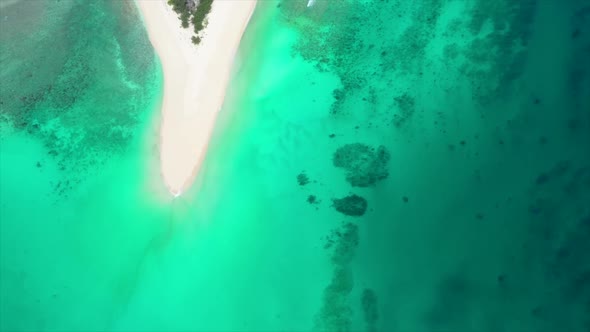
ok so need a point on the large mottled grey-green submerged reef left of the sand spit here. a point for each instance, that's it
(87, 101)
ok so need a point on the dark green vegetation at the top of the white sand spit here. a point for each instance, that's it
(193, 11)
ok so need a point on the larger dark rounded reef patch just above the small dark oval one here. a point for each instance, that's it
(364, 165)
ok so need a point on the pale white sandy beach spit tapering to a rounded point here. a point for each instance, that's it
(195, 81)
